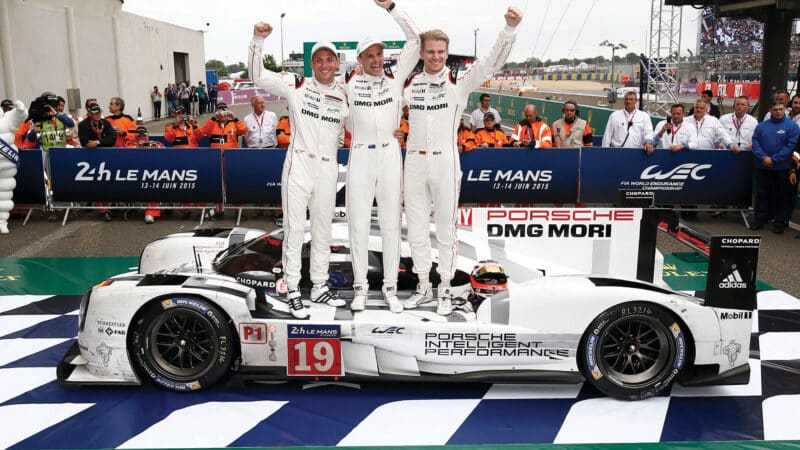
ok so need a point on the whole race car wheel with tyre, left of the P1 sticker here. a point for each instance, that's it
(182, 343)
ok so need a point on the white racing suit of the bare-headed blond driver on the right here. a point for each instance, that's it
(432, 166)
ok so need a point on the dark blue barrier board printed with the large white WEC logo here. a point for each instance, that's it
(695, 177)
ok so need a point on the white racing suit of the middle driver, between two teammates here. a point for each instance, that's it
(375, 168)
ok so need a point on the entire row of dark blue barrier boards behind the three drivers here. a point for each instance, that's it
(244, 177)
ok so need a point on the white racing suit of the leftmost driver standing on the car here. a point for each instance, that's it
(310, 170)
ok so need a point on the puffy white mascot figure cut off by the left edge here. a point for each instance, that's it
(9, 122)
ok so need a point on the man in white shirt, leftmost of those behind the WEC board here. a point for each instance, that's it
(629, 127)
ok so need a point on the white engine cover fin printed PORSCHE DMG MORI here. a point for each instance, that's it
(549, 239)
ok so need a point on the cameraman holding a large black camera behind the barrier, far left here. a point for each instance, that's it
(49, 127)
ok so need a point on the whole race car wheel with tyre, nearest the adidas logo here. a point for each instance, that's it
(632, 351)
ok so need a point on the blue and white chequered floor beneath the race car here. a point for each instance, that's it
(38, 412)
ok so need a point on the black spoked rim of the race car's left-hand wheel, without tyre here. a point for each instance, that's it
(182, 344)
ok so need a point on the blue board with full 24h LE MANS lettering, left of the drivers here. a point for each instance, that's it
(136, 175)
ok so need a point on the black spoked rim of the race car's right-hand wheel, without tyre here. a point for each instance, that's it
(634, 350)
